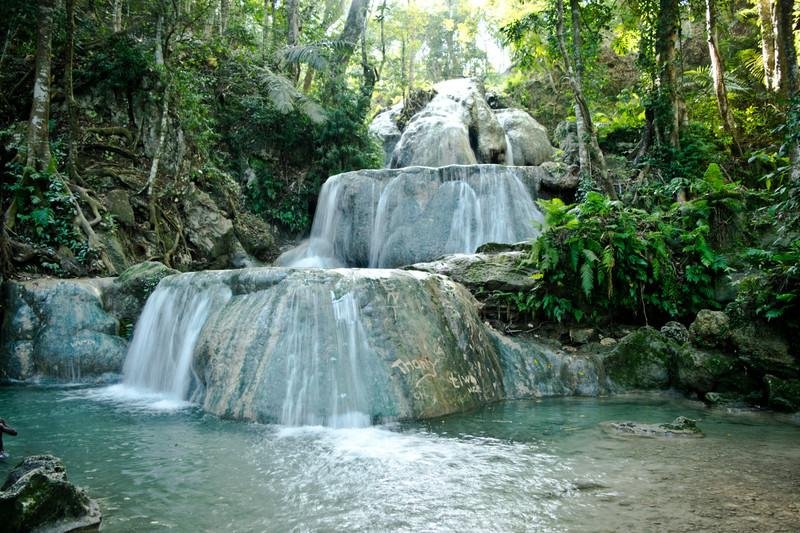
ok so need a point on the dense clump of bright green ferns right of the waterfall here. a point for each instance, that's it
(601, 259)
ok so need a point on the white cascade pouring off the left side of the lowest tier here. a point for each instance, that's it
(160, 354)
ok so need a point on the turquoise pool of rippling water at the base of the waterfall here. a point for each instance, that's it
(540, 465)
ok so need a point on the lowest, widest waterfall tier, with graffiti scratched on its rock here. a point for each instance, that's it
(334, 347)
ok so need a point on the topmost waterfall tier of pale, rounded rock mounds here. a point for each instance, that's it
(456, 126)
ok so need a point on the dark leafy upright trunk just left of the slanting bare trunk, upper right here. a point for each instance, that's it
(668, 117)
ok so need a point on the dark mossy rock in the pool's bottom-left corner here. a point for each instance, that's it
(37, 496)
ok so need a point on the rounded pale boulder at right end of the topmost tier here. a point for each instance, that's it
(527, 138)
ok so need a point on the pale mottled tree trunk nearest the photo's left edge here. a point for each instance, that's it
(38, 135)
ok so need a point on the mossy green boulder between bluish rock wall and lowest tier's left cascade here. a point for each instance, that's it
(127, 294)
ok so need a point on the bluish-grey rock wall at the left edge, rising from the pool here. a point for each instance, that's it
(59, 329)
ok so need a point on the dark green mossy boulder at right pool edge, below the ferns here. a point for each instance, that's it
(641, 360)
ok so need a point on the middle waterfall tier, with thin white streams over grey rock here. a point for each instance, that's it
(389, 218)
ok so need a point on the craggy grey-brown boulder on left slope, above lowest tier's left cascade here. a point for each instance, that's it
(207, 228)
